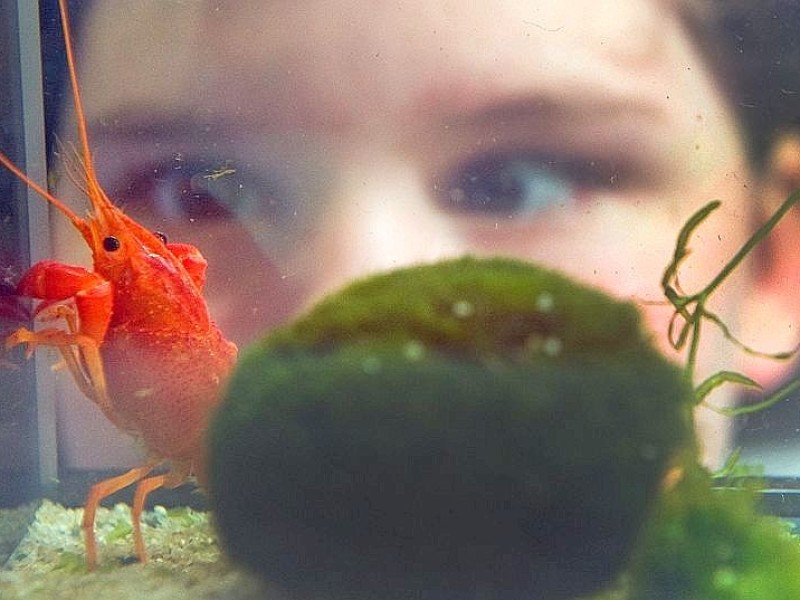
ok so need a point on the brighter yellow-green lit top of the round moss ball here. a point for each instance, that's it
(470, 306)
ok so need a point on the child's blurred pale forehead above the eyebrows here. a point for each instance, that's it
(338, 61)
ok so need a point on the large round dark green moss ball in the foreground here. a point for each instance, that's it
(467, 429)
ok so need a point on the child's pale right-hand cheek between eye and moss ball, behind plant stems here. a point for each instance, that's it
(624, 247)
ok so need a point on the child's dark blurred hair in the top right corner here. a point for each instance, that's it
(753, 47)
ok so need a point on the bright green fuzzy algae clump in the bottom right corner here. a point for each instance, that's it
(706, 543)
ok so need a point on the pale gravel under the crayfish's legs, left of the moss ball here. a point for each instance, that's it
(185, 560)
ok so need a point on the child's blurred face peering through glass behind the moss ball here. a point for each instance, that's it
(301, 144)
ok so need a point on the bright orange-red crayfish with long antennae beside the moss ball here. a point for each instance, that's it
(137, 336)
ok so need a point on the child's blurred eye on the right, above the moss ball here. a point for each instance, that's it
(519, 183)
